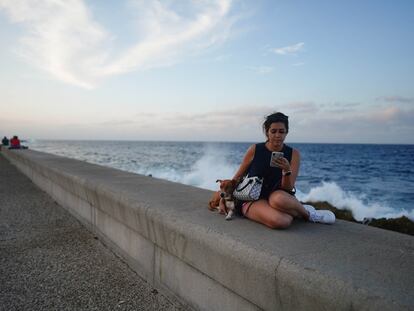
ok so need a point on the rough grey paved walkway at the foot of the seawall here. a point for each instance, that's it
(49, 261)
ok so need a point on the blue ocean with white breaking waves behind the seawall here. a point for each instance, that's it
(370, 180)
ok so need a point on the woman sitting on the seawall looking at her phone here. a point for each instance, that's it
(277, 205)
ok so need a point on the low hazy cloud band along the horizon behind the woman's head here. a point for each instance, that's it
(310, 121)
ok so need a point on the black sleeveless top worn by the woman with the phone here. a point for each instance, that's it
(260, 166)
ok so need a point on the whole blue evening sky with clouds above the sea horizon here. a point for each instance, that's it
(207, 70)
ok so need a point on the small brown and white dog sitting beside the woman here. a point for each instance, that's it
(223, 200)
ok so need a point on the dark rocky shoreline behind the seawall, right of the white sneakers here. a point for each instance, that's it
(401, 224)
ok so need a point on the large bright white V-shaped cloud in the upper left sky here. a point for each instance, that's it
(62, 37)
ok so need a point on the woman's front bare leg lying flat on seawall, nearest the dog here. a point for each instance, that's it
(260, 211)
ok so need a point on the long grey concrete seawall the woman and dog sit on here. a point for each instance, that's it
(165, 232)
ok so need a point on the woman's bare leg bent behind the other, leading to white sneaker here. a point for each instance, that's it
(286, 203)
